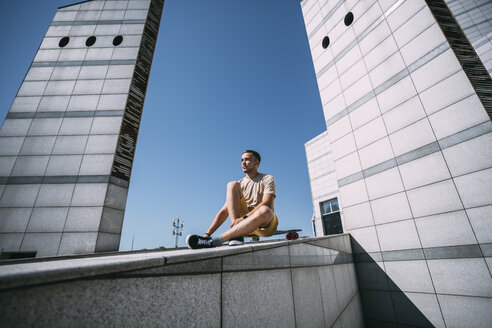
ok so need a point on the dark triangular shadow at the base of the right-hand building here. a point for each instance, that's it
(383, 303)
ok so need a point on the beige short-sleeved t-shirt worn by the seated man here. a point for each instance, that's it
(253, 189)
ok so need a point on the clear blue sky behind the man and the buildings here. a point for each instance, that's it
(227, 76)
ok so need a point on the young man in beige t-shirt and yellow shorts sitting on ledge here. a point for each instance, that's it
(249, 204)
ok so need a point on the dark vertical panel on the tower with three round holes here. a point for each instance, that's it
(127, 140)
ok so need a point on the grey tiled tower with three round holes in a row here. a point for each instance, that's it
(68, 141)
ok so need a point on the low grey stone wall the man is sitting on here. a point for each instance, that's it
(304, 283)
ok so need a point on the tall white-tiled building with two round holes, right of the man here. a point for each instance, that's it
(405, 165)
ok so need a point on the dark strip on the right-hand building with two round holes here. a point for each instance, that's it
(464, 51)
